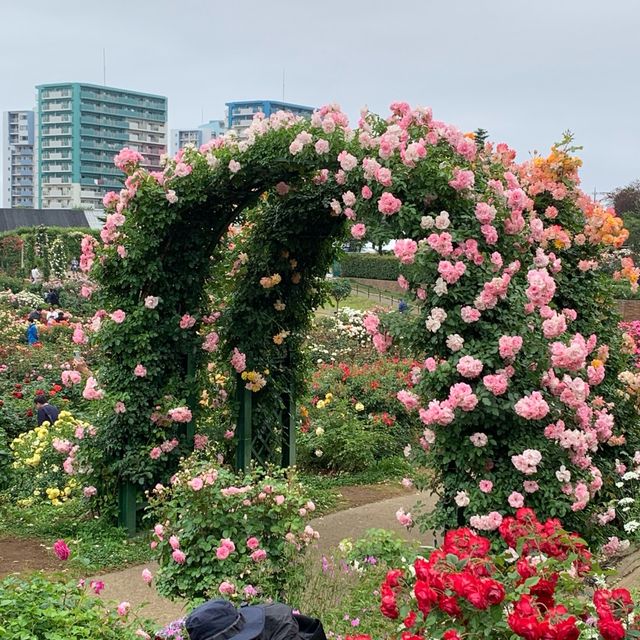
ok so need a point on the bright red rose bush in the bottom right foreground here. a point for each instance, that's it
(533, 584)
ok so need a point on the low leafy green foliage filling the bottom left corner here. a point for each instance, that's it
(37, 608)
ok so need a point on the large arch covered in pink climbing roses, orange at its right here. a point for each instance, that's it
(519, 392)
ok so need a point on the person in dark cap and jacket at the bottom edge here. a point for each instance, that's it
(220, 620)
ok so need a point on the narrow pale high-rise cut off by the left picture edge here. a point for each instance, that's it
(17, 159)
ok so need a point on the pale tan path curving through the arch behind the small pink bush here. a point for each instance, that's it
(334, 527)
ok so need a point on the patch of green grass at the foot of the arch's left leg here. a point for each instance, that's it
(96, 544)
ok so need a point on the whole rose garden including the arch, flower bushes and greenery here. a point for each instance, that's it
(209, 413)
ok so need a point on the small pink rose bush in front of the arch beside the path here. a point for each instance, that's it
(260, 516)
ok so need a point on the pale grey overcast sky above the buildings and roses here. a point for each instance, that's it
(526, 70)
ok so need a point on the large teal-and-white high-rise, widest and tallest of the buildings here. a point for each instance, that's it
(80, 128)
